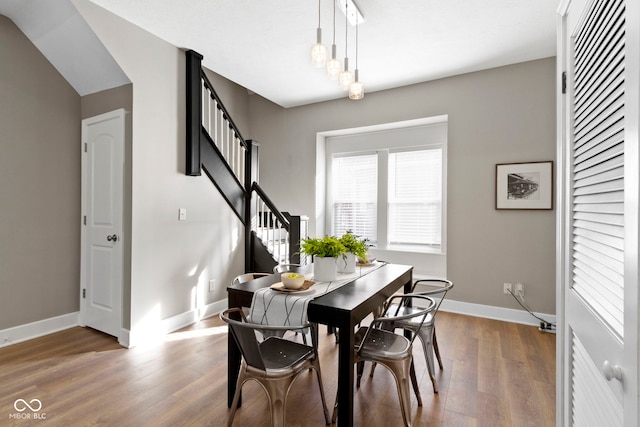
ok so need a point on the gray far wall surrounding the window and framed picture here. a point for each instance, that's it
(500, 115)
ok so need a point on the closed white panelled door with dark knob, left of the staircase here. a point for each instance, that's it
(102, 248)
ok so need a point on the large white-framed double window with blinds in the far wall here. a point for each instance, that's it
(389, 187)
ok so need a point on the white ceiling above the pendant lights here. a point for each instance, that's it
(264, 45)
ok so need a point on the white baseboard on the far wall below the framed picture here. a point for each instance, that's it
(496, 313)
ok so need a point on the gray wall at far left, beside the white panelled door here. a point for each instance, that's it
(39, 185)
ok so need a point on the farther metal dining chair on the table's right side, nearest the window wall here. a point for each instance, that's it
(436, 289)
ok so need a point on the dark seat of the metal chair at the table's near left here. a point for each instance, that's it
(280, 355)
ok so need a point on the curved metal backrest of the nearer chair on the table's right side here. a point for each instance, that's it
(400, 313)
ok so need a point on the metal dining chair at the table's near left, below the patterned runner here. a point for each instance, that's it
(274, 363)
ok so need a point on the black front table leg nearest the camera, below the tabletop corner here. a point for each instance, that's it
(345, 375)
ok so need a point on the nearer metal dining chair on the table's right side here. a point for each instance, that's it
(379, 344)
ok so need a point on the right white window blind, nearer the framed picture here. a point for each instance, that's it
(415, 197)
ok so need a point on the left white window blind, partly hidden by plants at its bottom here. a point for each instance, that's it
(355, 192)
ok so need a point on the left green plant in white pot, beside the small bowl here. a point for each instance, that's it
(325, 252)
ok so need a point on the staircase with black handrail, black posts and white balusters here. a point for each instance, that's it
(215, 146)
